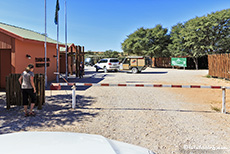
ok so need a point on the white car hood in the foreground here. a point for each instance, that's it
(62, 142)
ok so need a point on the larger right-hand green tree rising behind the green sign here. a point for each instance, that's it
(201, 36)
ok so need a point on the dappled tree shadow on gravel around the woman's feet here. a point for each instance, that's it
(56, 112)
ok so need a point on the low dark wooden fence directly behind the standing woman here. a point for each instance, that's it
(14, 94)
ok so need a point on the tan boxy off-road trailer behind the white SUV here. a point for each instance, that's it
(135, 63)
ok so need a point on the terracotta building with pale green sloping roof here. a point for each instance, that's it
(20, 47)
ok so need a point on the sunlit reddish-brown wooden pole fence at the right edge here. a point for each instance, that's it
(219, 65)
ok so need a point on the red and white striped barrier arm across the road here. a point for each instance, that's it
(142, 85)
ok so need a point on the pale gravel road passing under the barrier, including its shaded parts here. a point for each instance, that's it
(156, 118)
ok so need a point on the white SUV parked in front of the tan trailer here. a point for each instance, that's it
(108, 64)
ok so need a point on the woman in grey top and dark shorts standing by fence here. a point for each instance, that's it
(26, 81)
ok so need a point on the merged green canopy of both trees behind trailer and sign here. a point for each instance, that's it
(194, 38)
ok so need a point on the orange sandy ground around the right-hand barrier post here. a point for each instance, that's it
(208, 97)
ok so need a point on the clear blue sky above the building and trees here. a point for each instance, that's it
(101, 25)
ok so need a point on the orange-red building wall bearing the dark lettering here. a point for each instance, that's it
(35, 50)
